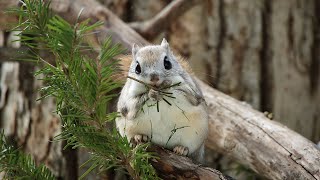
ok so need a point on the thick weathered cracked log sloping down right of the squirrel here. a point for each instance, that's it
(267, 147)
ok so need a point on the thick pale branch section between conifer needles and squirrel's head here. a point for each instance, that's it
(120, 31)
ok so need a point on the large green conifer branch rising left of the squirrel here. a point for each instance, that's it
(82, 86)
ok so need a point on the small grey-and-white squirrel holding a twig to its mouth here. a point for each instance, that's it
(161, 103)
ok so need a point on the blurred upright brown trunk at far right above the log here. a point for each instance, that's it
(294, 101)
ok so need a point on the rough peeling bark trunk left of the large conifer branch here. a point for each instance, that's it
(30, 123)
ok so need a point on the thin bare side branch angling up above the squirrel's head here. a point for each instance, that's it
(149, 29)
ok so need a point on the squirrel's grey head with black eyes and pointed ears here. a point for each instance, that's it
(154, 64)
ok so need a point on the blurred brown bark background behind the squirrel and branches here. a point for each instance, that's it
(263, 52)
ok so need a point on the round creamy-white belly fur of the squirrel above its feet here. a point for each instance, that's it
(189, 121)
